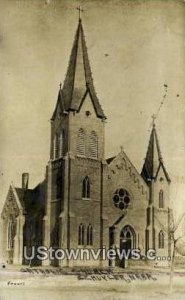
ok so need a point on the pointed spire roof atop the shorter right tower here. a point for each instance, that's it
(153, 161)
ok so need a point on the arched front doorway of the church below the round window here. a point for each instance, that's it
(127, 243)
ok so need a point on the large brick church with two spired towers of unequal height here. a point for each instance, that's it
(87, 200)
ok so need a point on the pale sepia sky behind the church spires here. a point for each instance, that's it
(145, 49)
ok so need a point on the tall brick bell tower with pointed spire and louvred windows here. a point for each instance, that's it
(74, 171)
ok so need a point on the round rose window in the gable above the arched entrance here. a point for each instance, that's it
(121, 199)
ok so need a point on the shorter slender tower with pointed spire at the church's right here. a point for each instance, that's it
(158, 211)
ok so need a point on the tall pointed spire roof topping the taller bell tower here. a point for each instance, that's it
(78, 80)
